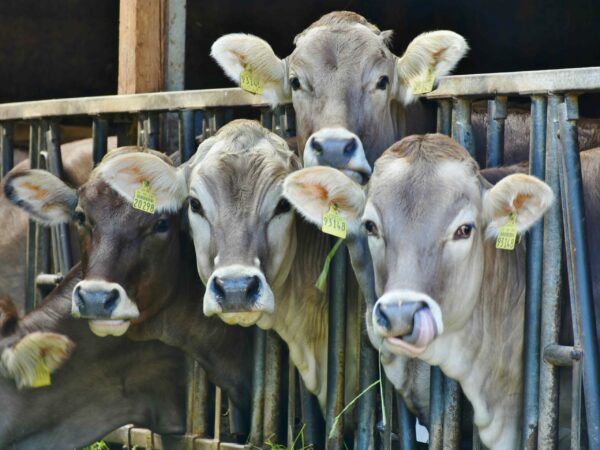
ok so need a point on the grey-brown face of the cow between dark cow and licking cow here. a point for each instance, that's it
(243, 229)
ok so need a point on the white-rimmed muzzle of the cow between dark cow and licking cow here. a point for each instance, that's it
(238, 294)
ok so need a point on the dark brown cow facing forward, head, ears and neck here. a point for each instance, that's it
(138, 268)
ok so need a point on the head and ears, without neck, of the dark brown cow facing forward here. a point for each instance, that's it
(128, 256)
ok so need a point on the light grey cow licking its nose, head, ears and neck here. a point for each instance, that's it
(446, 294)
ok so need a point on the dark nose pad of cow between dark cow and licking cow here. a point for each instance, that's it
(237, 294)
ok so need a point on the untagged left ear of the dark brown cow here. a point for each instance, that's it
(45, 197)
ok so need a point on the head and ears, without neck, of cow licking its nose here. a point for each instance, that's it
(428, 215)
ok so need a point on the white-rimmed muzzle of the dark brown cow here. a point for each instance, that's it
(106, 305)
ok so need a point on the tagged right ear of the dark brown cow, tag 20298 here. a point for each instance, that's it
(129, 172)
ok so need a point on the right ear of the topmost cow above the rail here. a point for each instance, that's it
(427, 58)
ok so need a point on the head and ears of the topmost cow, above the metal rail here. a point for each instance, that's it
(345, 84)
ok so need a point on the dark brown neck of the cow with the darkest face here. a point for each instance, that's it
(224, 352)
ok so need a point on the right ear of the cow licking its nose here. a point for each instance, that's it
(522, 195)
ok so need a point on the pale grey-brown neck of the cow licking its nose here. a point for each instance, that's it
(490, 367)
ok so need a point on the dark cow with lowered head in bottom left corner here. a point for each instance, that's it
(103, 384)
